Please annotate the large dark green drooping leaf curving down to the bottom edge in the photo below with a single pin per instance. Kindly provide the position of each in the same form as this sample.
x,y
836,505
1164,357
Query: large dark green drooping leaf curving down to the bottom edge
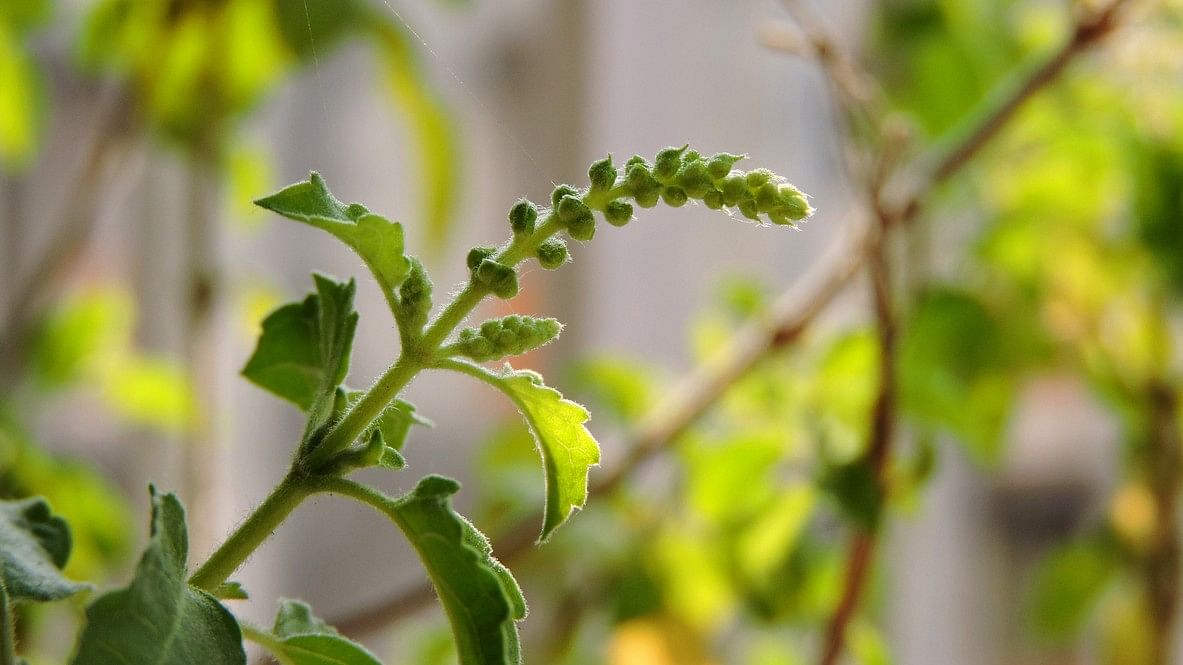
x,y
480,596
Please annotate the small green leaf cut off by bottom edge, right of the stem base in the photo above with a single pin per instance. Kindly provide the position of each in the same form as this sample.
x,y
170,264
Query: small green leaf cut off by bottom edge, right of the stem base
x,y
301,638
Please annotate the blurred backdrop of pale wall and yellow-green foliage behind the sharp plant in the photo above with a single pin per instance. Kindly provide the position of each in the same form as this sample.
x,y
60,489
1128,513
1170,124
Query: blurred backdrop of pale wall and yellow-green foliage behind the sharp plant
x,y
1029,509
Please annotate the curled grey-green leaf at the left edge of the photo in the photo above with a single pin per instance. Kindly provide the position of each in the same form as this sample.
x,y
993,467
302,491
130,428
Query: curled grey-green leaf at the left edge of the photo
x,y
35,546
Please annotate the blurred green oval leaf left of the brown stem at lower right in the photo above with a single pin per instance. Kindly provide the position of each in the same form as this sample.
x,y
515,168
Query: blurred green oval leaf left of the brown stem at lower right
x,y
1068,586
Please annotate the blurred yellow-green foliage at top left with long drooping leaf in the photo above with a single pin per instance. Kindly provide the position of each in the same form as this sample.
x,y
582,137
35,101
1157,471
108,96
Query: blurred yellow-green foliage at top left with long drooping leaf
x,y
198,69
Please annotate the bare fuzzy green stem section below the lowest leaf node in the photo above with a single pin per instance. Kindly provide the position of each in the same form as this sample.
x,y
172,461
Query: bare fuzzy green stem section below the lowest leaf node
x,y
251,534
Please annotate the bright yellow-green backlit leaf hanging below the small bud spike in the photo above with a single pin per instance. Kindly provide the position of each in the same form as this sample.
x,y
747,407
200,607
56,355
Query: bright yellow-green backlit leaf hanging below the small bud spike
x,y
568,450
